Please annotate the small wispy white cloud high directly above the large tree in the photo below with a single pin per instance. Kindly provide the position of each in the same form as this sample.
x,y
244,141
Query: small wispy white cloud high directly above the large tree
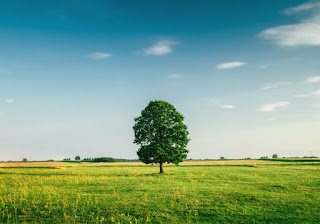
x,y
159,49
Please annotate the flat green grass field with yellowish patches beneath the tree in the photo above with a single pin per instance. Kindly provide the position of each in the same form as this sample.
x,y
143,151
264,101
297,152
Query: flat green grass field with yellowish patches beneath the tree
x,y
235,191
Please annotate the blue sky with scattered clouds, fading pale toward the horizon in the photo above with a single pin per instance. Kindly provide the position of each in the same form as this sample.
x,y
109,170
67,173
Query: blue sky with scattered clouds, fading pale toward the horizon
x,y
74,74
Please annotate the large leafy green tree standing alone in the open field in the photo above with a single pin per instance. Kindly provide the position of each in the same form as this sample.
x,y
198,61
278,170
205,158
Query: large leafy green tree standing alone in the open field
x,y
161,134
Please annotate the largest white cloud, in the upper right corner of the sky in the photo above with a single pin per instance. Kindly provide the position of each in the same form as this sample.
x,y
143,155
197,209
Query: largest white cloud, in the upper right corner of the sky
x,y
304,33
